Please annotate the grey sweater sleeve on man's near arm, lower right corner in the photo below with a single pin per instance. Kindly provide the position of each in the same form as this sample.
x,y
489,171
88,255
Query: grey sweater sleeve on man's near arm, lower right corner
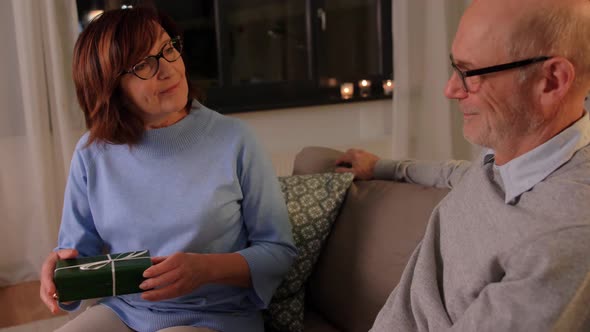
x,y
541,278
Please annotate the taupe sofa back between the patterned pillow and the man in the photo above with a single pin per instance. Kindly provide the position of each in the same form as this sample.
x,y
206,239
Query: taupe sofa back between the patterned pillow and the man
x,y
377,228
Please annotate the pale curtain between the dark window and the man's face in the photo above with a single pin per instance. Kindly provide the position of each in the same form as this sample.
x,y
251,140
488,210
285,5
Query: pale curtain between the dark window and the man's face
x,y
426,125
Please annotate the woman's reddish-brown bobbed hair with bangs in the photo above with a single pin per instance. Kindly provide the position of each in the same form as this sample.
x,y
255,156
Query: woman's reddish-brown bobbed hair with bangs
x,y
113,42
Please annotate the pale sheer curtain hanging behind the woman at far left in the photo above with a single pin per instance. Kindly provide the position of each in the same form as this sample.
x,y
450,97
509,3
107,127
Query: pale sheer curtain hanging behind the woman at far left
x,y
39,126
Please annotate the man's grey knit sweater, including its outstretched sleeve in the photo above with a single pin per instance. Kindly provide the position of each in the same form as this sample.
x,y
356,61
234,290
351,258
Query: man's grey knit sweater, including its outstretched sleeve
x,y
506,249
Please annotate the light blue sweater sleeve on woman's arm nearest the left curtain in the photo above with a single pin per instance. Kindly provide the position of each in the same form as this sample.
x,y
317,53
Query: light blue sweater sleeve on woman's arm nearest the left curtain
x,y
77,229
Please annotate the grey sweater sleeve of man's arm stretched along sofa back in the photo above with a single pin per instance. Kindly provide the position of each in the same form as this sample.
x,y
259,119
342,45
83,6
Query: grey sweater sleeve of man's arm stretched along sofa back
x,y
439,174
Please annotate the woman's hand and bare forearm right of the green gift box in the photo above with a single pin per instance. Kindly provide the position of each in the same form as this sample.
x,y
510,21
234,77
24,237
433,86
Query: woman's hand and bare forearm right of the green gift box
x,y
182,273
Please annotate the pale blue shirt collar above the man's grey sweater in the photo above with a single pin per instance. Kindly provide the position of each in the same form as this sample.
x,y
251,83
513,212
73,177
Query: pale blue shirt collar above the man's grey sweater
x,y
523,173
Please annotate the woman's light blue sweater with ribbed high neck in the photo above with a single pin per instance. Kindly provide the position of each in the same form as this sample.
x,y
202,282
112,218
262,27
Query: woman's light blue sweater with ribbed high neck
x,y
202,185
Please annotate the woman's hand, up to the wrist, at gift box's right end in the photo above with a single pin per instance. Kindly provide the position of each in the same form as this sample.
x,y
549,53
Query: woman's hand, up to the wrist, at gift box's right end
x,y
175,275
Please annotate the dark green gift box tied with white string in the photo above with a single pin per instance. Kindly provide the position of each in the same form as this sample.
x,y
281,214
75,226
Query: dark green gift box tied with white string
x,y
100,276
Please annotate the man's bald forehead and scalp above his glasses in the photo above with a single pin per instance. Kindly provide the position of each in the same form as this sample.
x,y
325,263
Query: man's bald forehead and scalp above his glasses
x,y
495,31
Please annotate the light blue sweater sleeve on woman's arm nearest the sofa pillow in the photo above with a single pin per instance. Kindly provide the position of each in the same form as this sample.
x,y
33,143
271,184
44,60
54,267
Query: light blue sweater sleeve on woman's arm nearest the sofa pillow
x,y
272,250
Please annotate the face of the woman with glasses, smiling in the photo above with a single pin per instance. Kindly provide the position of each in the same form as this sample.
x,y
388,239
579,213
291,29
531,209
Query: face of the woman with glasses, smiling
x,y
160,100
